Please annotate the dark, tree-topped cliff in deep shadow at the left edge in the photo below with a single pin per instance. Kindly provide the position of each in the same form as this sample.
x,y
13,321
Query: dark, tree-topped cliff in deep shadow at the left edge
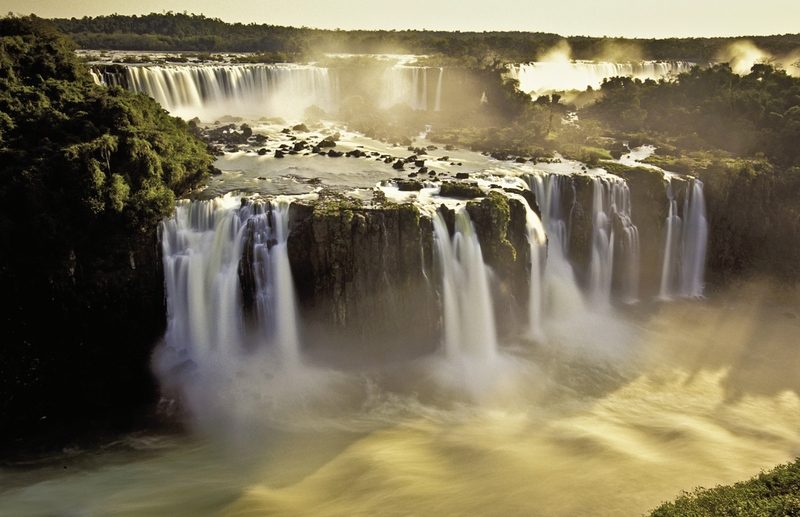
x,y
86,175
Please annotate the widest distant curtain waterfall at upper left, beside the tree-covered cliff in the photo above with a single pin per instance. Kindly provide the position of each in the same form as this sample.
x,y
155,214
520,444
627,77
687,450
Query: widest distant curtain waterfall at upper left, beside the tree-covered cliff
x,y
212,91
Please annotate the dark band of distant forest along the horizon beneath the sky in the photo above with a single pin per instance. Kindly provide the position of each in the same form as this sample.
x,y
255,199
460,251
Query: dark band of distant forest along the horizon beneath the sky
x,y
187,32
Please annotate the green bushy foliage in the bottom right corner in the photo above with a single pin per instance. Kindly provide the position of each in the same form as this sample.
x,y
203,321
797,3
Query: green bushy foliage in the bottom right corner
x,y
776,492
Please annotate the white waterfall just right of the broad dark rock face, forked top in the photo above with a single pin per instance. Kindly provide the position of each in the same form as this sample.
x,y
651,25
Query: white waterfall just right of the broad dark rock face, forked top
x,y
469,326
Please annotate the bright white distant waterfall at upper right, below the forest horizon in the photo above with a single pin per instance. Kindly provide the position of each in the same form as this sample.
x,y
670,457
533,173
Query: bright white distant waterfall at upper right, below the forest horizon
x,y
544,77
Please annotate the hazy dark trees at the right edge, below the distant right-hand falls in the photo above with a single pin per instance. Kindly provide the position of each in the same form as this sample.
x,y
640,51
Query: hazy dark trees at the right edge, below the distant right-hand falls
x,y
711,109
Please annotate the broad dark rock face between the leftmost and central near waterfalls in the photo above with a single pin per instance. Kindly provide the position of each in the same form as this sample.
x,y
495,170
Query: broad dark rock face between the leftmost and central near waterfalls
x,y
361,270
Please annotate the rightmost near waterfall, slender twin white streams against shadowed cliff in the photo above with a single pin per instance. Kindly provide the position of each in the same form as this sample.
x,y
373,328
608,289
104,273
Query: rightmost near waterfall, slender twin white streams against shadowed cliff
x,y
683,267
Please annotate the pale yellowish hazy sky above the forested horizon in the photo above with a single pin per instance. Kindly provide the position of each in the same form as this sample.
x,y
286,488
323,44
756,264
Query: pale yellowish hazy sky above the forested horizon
x,y
632,18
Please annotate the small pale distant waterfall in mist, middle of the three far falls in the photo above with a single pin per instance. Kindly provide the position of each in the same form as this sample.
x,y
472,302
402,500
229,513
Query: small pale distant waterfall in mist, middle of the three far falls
x,y
411,86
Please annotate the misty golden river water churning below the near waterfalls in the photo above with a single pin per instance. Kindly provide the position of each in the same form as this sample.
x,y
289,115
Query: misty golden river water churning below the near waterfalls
x,y
612,420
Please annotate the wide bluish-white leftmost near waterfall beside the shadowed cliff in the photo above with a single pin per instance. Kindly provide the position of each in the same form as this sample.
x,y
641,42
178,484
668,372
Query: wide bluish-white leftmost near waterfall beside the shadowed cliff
x,y
212,251
